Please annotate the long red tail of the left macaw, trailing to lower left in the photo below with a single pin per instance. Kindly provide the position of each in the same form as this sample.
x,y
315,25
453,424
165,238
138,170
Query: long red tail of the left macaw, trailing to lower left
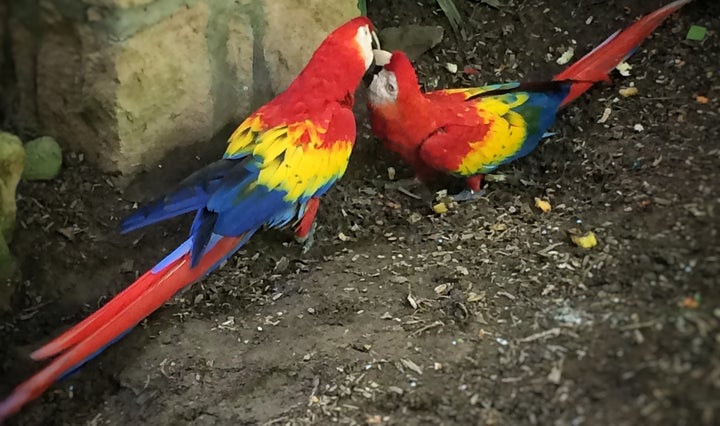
x,y
120,314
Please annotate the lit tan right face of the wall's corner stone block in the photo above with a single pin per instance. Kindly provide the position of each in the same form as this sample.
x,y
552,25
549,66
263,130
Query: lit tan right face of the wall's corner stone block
x,y
164,94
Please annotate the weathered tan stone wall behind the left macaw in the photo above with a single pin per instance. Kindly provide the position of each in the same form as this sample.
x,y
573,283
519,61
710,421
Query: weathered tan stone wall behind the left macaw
x,y
128,81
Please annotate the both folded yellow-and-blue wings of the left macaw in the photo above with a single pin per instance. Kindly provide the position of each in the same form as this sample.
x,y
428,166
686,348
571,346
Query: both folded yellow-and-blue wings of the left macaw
x,y
232,196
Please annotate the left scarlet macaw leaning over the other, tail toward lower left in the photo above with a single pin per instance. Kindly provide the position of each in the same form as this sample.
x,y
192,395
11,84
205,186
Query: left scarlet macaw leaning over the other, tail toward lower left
x,y
277,165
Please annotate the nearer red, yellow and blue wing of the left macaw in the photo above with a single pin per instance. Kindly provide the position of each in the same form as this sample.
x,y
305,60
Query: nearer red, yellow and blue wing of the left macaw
x,y
286,165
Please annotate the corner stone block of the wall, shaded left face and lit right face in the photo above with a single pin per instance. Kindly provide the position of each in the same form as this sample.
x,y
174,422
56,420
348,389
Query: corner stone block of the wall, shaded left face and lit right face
x,y
127,104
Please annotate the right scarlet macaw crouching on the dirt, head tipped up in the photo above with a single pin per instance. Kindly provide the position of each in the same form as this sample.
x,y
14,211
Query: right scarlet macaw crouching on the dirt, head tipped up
x,y
470,132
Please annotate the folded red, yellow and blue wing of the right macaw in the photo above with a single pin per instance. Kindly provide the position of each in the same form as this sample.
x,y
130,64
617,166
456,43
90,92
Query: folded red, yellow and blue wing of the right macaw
x,y
496,127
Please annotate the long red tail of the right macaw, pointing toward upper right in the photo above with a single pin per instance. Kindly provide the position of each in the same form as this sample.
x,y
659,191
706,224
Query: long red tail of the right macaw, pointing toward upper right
x,y
597,65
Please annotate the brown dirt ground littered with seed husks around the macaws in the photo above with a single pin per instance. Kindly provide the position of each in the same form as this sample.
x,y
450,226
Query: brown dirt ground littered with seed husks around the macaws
x,y
485,315
